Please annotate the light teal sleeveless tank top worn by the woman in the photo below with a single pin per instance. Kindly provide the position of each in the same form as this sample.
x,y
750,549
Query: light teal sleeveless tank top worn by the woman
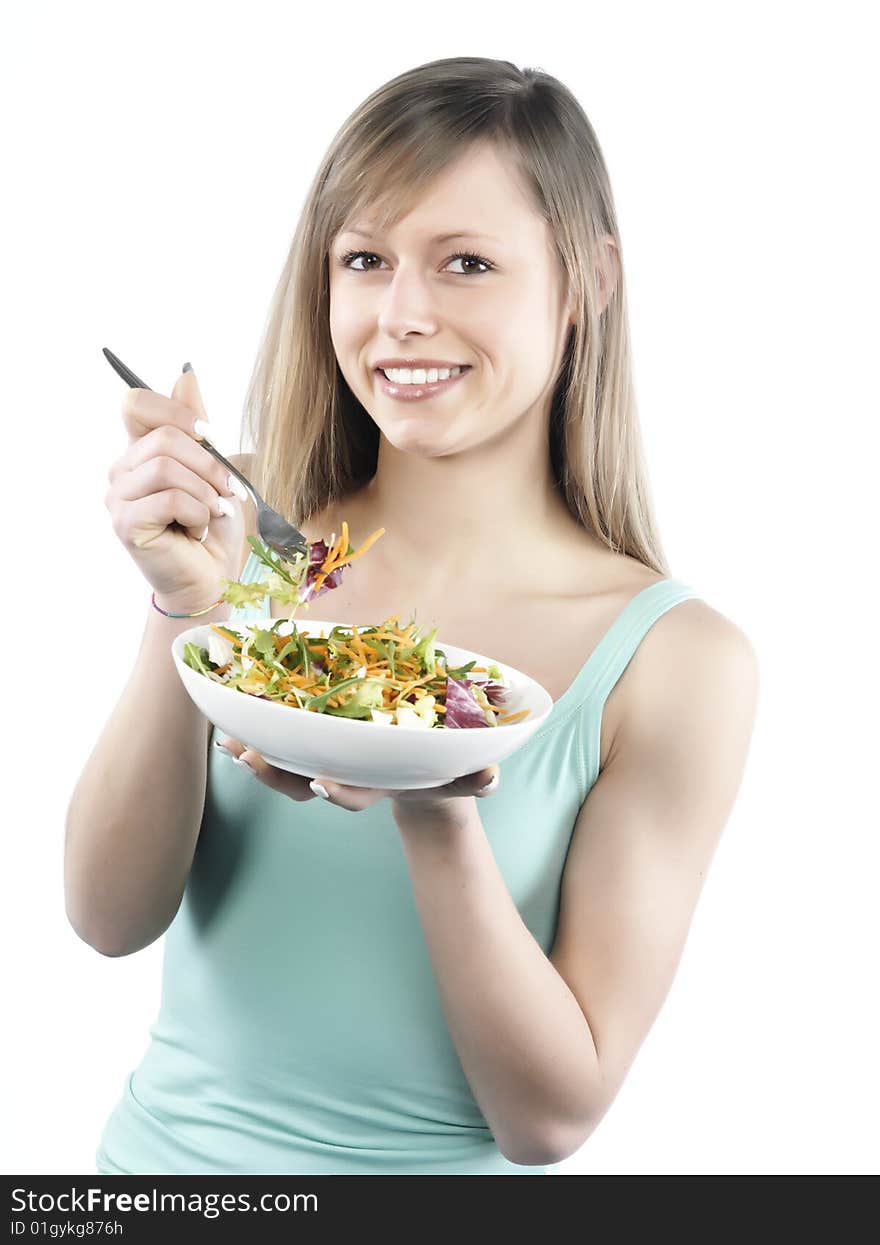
x,y
301,1030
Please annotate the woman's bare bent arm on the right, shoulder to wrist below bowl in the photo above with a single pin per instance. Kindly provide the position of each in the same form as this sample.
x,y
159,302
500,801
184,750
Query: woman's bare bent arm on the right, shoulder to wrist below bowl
x,y
546,1041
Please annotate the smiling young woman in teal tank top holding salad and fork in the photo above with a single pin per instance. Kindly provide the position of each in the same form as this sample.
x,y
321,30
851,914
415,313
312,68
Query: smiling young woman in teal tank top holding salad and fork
x,y
418,982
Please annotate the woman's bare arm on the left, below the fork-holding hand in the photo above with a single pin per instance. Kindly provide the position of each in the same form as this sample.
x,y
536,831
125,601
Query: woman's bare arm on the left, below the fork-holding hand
x,y
136,812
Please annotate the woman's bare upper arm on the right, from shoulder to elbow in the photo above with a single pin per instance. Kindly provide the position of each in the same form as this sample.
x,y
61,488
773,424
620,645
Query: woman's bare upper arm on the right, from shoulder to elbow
x,y
649,831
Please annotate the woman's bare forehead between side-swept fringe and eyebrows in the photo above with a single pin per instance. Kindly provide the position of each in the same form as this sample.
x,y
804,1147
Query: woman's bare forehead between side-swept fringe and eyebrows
x,y
480,195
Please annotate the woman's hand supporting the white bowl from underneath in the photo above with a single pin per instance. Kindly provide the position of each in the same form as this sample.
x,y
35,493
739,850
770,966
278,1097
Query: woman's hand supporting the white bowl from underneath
x,y
299,787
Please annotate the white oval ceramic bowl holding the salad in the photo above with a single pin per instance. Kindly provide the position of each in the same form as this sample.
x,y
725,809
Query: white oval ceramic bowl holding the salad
x,y
354,751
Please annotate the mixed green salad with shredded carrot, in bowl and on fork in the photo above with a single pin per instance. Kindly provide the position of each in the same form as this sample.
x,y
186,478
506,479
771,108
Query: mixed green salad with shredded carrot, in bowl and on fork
x,y
389,674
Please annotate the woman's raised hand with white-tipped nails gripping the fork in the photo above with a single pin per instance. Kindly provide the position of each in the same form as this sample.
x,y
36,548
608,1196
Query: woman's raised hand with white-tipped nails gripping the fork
x,y
164,500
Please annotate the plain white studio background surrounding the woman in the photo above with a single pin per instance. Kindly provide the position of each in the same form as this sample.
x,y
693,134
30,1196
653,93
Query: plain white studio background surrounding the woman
x,y
156,160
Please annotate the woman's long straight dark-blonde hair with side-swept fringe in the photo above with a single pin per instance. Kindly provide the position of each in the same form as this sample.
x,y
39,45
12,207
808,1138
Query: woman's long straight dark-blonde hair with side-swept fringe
x,y
313,440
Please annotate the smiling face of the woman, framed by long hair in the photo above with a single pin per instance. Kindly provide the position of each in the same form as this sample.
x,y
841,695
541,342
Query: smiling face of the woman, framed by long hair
x,y
408,297
